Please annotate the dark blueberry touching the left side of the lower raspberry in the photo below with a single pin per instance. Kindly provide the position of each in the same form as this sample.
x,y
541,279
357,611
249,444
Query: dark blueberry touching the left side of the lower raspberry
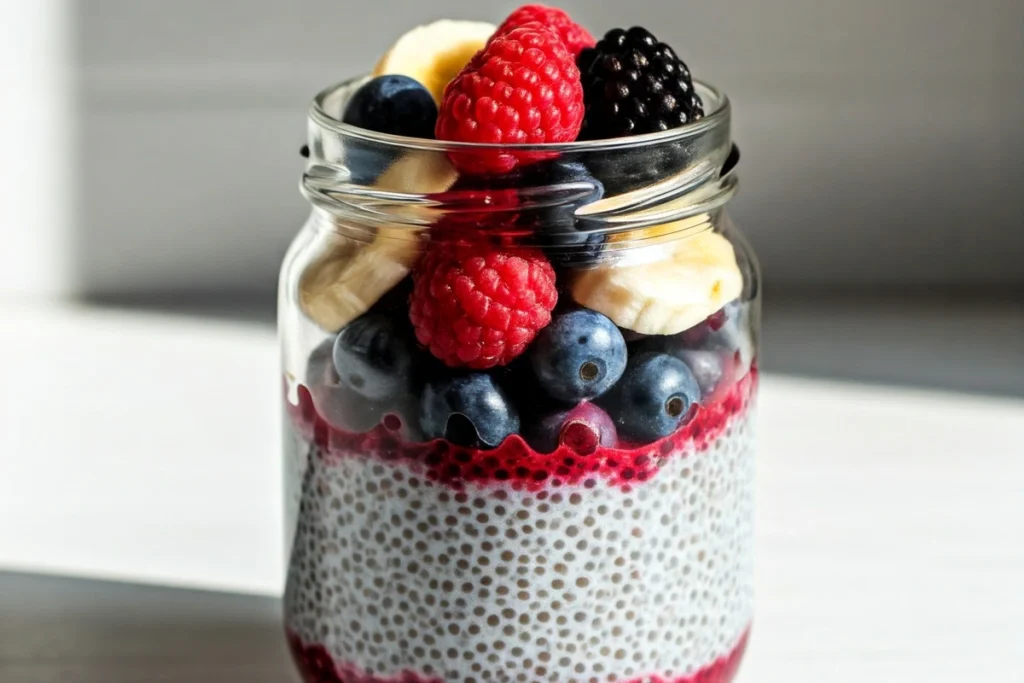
x,y
373,356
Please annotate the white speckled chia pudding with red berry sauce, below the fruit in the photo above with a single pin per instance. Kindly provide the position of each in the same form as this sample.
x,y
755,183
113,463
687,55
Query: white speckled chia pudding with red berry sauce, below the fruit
x,y
411,563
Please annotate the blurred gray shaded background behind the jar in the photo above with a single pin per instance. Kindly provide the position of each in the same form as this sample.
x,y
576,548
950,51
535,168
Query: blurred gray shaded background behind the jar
x,y
882,173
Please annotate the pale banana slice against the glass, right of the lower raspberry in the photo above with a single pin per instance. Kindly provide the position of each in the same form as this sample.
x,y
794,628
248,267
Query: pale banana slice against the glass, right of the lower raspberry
x,y
695,278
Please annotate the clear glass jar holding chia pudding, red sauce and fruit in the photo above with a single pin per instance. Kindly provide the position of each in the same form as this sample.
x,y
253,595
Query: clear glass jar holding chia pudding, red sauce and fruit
x,y
519,410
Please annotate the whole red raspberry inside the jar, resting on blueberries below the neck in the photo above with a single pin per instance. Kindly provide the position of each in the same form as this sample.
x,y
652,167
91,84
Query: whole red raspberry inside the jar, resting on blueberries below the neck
x,y
480,307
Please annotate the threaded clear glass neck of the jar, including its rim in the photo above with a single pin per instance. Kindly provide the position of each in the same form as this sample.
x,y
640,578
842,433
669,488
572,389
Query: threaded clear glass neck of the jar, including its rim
x,y
367,182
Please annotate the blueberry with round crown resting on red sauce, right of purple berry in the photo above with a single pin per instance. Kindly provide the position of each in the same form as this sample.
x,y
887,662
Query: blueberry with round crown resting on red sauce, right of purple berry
x,y
654,397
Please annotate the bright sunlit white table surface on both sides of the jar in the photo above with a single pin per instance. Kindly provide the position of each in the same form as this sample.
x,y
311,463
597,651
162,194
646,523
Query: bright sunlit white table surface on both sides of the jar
x,y
890,523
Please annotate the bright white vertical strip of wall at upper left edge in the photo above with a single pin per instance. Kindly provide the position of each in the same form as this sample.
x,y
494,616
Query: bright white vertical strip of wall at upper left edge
x,y
36,152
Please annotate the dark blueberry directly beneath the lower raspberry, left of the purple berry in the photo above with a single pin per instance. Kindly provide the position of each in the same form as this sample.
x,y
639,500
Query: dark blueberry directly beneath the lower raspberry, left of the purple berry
x,y
468,410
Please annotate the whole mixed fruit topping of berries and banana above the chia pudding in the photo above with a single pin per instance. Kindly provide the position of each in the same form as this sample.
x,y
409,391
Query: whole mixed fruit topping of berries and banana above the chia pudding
x,y
463,252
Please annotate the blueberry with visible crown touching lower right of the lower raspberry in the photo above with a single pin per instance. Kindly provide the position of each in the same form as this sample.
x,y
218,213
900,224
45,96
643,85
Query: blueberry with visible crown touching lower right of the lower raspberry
x,y
580,356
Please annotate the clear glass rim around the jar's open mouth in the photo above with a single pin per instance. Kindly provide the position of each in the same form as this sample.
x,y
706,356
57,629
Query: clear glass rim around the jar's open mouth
x,y
717,100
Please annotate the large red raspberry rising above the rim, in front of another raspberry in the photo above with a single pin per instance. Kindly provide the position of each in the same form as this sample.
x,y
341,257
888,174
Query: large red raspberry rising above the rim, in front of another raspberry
x,y
524,88
